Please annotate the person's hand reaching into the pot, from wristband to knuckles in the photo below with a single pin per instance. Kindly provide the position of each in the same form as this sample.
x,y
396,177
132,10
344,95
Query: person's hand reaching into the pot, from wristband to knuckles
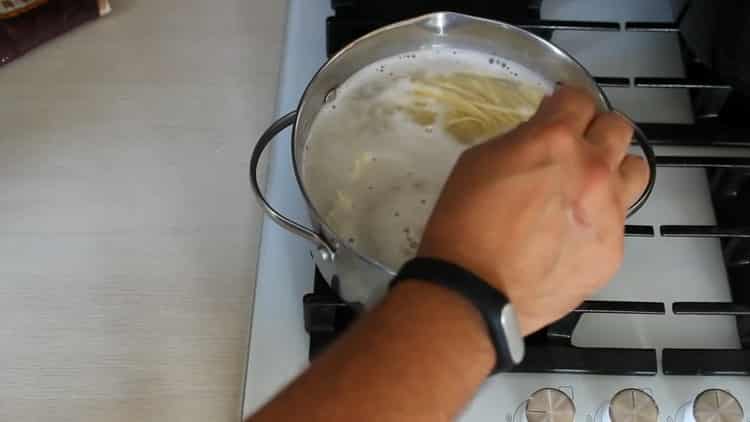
x,y
539,213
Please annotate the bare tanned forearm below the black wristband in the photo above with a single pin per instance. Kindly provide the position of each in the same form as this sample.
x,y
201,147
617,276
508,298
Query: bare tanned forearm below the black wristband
x,y
419,356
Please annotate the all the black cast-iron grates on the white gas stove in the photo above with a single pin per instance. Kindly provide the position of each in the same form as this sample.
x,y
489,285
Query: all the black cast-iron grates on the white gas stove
x,y
716,108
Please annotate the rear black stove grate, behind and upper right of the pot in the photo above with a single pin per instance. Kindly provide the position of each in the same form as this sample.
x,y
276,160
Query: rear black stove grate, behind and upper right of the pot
x,y
718,109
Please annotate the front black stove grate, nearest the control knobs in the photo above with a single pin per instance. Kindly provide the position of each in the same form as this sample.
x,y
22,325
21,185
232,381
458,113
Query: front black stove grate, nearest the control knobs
x,y
551,350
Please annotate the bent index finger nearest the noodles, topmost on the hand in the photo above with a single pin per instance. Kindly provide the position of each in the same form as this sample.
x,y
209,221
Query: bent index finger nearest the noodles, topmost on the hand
x,y
570,106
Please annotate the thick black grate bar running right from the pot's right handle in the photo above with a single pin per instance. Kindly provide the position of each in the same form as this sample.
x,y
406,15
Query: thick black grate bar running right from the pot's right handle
x,y
695,134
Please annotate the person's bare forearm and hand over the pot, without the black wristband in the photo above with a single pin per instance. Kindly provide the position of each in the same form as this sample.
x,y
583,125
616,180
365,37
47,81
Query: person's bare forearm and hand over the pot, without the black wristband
x,y
537,214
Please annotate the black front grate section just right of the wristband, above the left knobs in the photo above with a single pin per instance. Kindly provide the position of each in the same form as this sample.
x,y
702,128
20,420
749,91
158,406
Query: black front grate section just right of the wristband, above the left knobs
x,y
557,354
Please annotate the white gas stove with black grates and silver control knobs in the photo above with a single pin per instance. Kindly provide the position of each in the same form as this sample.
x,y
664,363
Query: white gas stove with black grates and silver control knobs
x,y
670,333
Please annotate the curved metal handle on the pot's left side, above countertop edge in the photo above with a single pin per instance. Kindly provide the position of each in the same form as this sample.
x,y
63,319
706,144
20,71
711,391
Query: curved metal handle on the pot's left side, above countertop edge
x,y
325,249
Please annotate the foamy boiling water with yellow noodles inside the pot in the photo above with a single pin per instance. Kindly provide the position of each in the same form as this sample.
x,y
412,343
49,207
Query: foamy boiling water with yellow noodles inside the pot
x,y
379,152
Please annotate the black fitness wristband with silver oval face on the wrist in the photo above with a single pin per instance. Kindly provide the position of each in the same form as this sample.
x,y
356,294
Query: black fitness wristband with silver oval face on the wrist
x,y
496,310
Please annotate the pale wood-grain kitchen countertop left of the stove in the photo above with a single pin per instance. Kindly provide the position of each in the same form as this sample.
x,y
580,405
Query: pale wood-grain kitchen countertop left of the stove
x,y
128,236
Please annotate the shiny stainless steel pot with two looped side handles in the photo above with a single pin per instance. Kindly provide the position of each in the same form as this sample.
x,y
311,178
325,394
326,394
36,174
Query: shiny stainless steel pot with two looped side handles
x,y
361,278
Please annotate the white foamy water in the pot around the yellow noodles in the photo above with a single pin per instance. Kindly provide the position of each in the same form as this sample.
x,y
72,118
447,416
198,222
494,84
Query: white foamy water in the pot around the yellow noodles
x,y
373,173
